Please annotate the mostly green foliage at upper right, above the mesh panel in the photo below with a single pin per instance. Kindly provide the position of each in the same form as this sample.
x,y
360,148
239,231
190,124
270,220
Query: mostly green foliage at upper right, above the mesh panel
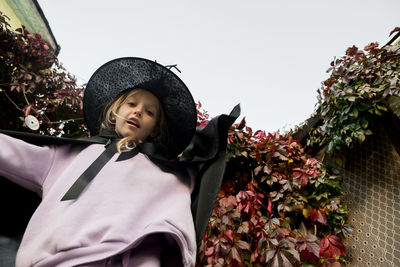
x,y
356,94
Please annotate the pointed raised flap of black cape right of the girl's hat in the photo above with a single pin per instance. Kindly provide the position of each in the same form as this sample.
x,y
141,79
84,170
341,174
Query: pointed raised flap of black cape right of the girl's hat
x,y
208,147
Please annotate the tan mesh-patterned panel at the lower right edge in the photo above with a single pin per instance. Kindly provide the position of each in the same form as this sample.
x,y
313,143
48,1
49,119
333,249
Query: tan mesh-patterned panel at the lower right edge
x,y
371,182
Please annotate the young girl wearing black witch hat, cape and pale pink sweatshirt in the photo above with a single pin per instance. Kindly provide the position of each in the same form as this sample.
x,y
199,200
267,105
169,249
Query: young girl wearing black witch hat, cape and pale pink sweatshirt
x,y
128,202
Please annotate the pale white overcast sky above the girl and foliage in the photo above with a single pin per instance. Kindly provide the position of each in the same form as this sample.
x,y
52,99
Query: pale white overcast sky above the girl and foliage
x,y
269,56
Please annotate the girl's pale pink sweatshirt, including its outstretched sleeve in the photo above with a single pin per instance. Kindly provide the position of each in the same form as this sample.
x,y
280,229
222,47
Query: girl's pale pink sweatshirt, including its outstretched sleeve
x,y
126,201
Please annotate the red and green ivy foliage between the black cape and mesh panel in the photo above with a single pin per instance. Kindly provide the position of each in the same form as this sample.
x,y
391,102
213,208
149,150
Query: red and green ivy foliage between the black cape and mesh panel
x,y
276,207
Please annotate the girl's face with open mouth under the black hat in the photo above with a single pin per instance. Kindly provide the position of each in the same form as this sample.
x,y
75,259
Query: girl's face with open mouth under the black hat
x,y
138,116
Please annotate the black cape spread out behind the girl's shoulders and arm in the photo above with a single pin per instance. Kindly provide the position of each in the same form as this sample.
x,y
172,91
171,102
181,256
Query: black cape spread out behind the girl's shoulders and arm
x,y
206,152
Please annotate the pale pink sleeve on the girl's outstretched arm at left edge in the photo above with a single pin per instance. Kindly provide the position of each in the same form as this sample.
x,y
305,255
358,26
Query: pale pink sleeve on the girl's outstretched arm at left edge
x,y
24,163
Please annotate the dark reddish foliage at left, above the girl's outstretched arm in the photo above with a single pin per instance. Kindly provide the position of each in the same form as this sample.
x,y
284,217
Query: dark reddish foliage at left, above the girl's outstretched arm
x,y
33,82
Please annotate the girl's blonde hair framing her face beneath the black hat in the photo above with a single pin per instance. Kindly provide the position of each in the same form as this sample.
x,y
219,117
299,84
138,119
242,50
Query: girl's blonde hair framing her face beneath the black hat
x,y
128,143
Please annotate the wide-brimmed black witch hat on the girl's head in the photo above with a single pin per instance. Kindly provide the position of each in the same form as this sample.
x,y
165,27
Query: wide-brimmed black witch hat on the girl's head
x,y
122,74
